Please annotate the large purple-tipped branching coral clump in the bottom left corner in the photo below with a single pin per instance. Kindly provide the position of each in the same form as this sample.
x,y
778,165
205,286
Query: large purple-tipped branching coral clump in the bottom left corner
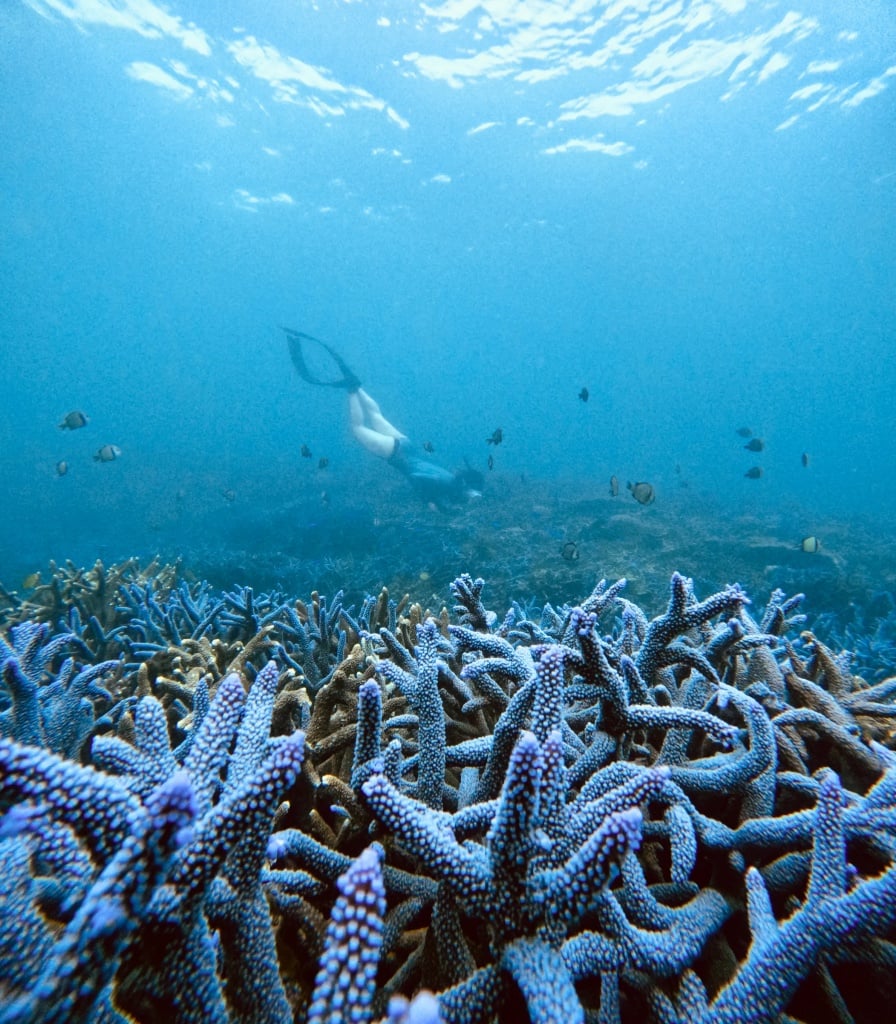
x,y
174,854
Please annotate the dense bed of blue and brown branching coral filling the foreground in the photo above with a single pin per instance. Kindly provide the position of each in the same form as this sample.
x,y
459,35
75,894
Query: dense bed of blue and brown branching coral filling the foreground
x,y
239,806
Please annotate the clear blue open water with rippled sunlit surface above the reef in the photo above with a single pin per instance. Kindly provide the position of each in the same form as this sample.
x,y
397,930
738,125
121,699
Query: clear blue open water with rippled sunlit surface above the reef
x,y
689,208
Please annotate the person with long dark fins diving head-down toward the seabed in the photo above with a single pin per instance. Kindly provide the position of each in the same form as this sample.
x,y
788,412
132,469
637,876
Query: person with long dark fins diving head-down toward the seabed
x,y
434,484
